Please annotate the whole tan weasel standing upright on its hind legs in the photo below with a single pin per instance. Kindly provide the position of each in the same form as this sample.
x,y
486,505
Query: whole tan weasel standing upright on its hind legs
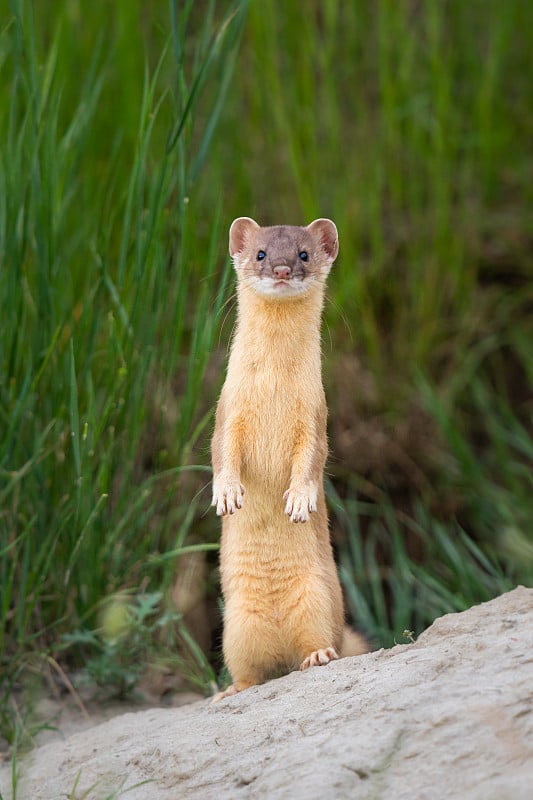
x,y
283,601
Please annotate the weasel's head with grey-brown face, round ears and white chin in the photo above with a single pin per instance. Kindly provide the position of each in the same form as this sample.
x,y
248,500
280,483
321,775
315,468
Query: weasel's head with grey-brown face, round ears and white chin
x,y
283,261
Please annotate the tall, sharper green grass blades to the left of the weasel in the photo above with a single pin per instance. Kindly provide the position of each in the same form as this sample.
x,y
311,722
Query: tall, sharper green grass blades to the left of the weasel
x,y
104,280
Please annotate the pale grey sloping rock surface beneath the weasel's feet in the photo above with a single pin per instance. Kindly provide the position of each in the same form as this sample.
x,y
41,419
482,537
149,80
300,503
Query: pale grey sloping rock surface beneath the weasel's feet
x,y
450,716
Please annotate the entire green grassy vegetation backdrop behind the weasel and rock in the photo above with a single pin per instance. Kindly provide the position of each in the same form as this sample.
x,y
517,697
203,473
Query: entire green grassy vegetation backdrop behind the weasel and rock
x,y
131,135
